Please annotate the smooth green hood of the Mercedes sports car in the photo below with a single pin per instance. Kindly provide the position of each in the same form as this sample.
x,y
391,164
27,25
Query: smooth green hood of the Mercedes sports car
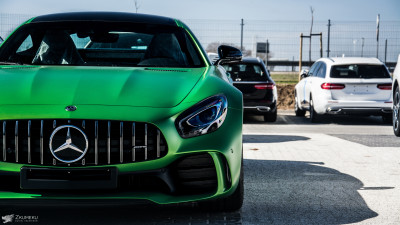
x,y
69,85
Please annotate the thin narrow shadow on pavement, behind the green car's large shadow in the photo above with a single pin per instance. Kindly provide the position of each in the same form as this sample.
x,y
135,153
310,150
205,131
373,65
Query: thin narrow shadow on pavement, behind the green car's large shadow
x,y
247,138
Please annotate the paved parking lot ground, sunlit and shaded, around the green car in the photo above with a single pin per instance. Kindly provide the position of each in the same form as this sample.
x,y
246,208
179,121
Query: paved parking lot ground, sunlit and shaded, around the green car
x,y
340,171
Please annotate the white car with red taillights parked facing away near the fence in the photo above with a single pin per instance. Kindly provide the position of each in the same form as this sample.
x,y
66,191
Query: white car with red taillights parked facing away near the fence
x,y
345,86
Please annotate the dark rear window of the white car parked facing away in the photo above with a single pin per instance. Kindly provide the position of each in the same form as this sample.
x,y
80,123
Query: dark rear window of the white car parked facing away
x,y
359,71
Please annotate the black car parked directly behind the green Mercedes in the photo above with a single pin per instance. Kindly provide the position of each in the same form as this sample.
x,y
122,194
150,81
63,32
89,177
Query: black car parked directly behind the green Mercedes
x,y
259,90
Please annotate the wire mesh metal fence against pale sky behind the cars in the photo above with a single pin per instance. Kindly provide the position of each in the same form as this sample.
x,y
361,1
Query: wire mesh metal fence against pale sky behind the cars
x,y
346,38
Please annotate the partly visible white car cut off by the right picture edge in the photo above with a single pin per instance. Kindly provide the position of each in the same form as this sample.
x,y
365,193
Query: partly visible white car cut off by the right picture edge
x,y
396,98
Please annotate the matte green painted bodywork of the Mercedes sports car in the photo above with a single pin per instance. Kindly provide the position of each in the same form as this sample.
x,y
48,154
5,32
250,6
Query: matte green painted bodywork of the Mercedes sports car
x,y
152,95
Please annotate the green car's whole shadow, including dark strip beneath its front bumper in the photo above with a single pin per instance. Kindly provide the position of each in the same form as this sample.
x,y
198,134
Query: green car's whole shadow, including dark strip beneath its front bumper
x,y
278,192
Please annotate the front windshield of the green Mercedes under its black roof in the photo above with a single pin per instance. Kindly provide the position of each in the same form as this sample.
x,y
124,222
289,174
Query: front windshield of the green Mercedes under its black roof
x,y
101,44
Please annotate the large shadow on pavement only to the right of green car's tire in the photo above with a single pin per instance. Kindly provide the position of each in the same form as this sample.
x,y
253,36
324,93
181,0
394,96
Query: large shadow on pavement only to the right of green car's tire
x,y
289,192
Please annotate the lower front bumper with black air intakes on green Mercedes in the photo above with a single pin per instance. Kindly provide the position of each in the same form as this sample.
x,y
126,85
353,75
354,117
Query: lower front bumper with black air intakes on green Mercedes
x,y
179,182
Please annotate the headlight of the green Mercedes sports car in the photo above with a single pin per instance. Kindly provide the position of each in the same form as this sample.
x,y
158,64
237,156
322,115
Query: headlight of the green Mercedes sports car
x,y
203,118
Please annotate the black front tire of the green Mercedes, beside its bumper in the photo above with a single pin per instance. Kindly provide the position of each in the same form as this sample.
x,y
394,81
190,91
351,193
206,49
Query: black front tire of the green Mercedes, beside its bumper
x,y
231,203
